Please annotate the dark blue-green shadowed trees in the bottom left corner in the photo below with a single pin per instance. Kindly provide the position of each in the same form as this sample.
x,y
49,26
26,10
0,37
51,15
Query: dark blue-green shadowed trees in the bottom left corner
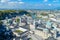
x,y
4,33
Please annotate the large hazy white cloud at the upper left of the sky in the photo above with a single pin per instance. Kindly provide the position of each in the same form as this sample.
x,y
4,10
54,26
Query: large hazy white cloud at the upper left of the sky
x,y
10,4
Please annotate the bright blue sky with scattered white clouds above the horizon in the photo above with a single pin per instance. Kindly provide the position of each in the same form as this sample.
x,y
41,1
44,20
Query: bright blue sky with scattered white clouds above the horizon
x,y
29,4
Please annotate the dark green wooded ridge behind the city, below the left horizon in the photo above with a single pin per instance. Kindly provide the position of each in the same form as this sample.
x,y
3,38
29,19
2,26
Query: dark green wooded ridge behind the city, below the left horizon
x,y
12,13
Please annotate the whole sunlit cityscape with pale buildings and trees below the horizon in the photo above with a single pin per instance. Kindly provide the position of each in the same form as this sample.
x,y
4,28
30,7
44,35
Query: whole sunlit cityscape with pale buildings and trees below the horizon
x,y
30,25
